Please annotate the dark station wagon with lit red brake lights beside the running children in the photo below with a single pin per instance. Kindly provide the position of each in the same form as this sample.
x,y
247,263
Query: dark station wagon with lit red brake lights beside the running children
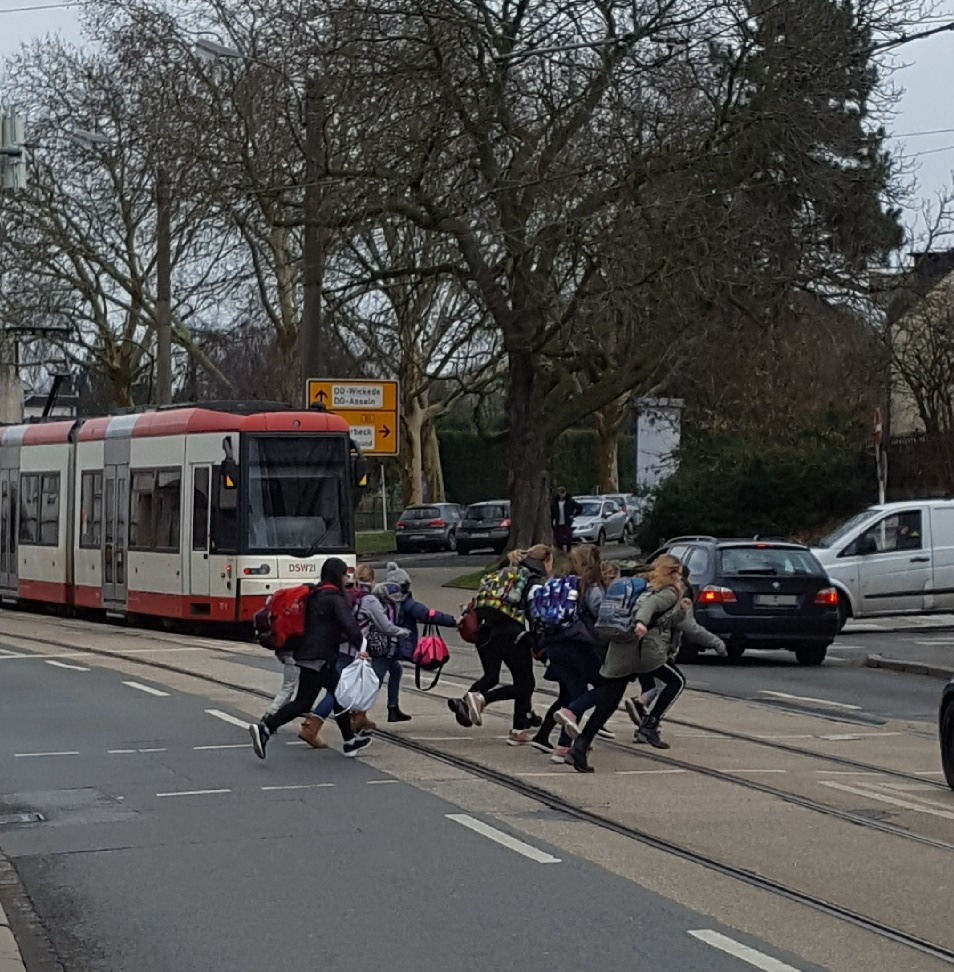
x,y
760,594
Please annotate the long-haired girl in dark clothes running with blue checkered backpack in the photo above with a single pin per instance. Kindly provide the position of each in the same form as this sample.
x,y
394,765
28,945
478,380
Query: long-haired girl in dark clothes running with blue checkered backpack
x,y
574,655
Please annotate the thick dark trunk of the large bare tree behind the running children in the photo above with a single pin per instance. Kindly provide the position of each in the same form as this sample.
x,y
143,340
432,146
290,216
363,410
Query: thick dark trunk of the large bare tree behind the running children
x,y
529,480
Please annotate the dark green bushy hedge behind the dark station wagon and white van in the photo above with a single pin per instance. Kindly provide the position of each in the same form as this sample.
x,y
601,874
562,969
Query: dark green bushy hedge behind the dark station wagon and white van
x,y
739,488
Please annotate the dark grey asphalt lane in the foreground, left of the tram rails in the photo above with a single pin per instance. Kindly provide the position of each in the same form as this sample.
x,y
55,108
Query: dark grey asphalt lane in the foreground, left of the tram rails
x,y
165,845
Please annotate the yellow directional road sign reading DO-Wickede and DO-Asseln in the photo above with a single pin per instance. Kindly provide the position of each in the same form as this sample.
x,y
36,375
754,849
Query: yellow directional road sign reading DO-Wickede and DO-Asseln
x,y
369,407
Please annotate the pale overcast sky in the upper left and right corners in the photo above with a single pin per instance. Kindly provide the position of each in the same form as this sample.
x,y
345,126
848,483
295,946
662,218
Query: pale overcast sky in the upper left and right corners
x,y
927,77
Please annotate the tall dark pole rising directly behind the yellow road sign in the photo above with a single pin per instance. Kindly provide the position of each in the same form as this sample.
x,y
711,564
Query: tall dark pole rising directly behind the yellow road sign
x,y
313,257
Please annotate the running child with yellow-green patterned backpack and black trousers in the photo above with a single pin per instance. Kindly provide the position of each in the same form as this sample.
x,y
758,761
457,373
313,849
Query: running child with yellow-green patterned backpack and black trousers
x,y
503,639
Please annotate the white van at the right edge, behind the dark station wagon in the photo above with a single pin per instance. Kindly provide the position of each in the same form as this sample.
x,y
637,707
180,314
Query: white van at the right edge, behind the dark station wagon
x,y
893,559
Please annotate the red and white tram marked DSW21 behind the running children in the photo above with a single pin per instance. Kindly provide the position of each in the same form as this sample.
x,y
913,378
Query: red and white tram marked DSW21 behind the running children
x,y
194,513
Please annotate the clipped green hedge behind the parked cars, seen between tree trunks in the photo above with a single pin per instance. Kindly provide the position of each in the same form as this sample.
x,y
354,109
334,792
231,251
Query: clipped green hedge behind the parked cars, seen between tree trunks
x,y
475,468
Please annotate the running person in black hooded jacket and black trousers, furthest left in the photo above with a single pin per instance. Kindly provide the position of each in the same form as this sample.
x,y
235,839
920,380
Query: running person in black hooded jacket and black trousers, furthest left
x,y
328,623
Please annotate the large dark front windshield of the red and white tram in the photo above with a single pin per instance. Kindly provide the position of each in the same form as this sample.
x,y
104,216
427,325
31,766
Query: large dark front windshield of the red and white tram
x,y
298,494
